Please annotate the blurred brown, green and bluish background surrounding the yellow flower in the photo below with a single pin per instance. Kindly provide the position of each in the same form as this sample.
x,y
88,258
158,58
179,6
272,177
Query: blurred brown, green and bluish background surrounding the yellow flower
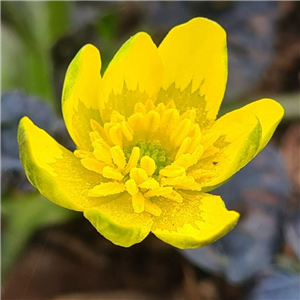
x,y
51,253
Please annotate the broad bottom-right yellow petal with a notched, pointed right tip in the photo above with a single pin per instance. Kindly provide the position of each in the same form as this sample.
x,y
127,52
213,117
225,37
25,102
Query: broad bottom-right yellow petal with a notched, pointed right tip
x,y
199,220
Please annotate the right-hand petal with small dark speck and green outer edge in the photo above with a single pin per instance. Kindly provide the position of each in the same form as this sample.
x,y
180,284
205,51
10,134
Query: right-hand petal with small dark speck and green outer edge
x,y
238,143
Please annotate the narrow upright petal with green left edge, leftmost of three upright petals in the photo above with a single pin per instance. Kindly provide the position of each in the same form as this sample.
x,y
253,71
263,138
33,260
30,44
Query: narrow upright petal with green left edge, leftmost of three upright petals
x,y
81,95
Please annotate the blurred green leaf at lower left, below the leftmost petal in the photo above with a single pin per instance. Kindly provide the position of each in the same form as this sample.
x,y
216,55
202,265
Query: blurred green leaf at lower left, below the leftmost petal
x,y
22,217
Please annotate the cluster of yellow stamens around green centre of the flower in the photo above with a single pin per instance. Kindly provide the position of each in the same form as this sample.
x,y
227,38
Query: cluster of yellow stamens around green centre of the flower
x,y
153,153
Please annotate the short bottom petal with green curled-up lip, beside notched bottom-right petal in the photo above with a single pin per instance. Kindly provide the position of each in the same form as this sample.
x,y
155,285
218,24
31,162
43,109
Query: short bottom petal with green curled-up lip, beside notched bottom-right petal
x,y
117,221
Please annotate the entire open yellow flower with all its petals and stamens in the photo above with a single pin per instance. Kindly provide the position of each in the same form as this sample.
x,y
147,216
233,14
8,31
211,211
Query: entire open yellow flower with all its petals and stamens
x,y
149,147
